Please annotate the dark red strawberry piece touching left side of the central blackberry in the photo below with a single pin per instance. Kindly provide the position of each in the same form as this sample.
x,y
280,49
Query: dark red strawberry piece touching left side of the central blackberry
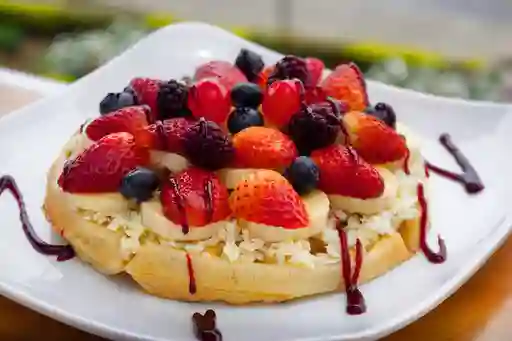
x,y
169,135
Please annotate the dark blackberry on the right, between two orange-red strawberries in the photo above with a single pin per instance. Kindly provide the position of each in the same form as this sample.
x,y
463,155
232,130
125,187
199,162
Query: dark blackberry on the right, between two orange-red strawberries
x,y
315,126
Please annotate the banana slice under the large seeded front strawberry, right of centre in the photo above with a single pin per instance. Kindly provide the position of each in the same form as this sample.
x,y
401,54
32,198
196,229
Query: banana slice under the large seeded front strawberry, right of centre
x,y
317,207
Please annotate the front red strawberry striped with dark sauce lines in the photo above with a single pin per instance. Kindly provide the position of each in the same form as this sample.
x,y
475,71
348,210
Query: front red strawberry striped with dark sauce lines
x,y
185,198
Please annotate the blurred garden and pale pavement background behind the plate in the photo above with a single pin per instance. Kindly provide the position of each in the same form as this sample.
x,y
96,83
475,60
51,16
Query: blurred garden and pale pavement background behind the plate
x,y
67,39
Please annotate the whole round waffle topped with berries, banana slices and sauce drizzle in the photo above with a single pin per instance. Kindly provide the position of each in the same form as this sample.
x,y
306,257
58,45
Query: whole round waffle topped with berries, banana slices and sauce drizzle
x,y
249,183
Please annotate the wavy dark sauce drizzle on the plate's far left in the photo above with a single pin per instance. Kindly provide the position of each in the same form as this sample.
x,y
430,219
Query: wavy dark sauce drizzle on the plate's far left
x,y
63,252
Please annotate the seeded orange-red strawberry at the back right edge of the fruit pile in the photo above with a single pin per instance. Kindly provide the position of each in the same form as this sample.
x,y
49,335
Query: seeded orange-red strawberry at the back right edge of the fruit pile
x,y
346,83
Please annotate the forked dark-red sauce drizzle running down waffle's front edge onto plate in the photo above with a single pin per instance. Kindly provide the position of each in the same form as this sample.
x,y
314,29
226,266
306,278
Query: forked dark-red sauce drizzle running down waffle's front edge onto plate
x,y
355,300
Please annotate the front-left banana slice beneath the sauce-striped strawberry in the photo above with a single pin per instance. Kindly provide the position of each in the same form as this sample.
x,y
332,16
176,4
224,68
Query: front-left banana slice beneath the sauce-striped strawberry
x,y
154,219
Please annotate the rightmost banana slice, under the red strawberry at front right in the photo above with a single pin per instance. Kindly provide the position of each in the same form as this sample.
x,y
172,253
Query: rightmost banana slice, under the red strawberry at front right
x,y
369,206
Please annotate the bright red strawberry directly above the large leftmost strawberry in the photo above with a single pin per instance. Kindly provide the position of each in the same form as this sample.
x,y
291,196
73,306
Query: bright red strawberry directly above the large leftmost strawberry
x,y
131,120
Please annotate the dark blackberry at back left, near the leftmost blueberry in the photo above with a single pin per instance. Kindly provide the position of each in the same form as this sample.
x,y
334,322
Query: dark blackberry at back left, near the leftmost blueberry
x,y
172,100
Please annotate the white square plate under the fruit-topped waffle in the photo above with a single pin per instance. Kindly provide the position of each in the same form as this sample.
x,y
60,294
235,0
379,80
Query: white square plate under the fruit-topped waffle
x,y
73,293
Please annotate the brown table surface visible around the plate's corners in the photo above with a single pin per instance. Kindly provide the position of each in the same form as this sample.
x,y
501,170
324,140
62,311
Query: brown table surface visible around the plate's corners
x,y
481,310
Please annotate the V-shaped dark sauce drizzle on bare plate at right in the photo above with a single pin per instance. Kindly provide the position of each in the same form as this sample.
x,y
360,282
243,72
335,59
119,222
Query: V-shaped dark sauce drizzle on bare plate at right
x,y
469,177
